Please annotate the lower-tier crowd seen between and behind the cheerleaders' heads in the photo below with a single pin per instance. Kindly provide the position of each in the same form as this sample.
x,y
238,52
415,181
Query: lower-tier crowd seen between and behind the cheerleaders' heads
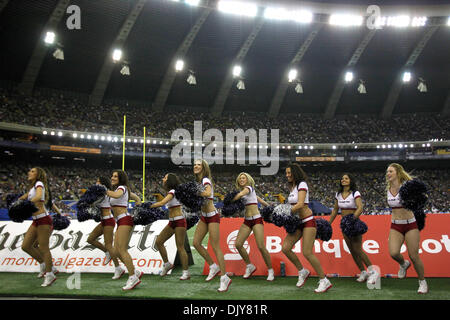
x,y
69,183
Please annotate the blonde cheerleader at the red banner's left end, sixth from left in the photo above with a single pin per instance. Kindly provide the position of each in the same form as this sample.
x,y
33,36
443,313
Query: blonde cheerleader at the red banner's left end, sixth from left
x,y
252,222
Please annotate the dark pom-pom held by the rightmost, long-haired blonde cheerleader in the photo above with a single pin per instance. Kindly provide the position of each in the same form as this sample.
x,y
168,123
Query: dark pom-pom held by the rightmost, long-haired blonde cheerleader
x,y
414,197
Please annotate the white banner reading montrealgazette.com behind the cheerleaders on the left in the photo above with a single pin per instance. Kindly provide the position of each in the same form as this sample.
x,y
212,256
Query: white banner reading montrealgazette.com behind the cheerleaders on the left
x,y
72,253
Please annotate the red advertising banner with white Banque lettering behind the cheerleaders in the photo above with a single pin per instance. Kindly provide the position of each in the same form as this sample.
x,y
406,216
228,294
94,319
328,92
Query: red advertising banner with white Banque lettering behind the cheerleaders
x,y
334,255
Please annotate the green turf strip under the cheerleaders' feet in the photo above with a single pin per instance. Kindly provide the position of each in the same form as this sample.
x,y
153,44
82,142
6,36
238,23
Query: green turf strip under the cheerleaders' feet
x,y
257,288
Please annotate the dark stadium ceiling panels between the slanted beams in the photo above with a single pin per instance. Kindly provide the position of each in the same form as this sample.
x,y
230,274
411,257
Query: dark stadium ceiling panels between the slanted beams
x,y
163,24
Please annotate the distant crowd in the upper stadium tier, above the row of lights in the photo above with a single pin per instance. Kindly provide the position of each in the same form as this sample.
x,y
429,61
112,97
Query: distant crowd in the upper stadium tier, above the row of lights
x,y
68,113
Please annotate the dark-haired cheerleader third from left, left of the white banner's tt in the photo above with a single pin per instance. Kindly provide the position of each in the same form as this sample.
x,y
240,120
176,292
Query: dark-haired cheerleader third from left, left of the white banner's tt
x,y
119,205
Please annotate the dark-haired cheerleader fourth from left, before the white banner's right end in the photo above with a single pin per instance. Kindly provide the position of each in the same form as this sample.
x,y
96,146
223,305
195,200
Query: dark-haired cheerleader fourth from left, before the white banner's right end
x,y
177,225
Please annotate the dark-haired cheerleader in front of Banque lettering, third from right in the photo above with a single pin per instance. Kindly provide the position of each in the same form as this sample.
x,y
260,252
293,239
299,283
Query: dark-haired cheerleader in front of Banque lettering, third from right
x,y
299,199
